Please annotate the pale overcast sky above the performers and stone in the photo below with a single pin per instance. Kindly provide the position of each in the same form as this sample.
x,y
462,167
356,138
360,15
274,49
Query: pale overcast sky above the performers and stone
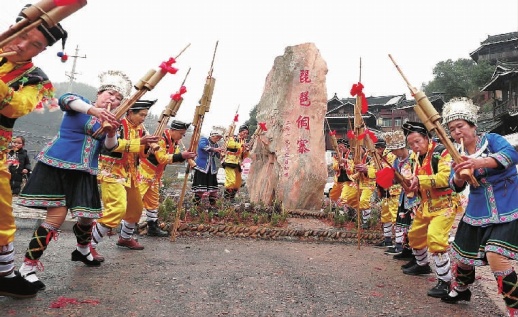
x,y
136,36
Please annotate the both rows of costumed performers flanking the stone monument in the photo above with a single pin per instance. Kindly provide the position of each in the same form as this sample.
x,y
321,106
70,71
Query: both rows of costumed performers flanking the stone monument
x,y
128,161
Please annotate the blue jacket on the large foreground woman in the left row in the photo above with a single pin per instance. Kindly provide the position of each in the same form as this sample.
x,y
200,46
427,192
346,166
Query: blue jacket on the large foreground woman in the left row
x,y
74,147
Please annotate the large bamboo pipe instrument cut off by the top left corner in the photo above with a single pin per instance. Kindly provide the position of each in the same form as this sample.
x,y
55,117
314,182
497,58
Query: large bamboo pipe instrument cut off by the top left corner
x,y
46,12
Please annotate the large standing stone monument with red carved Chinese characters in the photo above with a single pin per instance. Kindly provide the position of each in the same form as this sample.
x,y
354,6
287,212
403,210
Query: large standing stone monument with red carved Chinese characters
x,y
288,160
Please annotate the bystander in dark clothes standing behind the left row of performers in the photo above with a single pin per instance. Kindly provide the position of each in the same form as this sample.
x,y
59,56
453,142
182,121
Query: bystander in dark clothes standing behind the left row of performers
x,y
19,164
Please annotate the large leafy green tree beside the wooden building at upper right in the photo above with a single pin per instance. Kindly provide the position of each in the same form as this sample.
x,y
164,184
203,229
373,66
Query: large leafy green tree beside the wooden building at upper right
x,y
460,78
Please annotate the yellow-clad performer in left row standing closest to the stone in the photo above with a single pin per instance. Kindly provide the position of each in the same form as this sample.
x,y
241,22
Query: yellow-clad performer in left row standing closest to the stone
x,y
236,151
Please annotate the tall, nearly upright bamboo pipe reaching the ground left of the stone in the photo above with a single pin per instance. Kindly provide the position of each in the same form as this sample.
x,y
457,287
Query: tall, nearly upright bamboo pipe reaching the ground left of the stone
x,y
199,114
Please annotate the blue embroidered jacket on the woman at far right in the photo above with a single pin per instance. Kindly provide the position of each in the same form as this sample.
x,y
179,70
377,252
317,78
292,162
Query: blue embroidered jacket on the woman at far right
x,y
496,199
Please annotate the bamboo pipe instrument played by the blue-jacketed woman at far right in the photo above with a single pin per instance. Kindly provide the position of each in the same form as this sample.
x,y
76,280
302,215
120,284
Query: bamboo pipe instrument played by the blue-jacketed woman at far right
x,y
431,119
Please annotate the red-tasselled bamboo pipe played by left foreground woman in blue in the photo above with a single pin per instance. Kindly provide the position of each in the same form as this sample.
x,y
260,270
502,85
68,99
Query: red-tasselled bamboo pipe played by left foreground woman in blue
x,y
145,84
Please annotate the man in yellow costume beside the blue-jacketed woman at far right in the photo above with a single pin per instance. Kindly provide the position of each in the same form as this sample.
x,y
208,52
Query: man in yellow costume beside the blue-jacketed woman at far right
x,y
436,213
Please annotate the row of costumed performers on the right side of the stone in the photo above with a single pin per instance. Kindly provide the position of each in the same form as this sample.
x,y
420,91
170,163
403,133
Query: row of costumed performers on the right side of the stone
x,y
417,220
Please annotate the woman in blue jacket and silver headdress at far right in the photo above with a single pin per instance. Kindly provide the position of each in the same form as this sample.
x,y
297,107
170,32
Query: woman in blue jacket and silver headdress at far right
x,y
488,231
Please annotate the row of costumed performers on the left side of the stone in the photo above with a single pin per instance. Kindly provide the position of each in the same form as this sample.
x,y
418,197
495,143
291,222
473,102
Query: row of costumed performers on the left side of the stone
x,y
105,171
